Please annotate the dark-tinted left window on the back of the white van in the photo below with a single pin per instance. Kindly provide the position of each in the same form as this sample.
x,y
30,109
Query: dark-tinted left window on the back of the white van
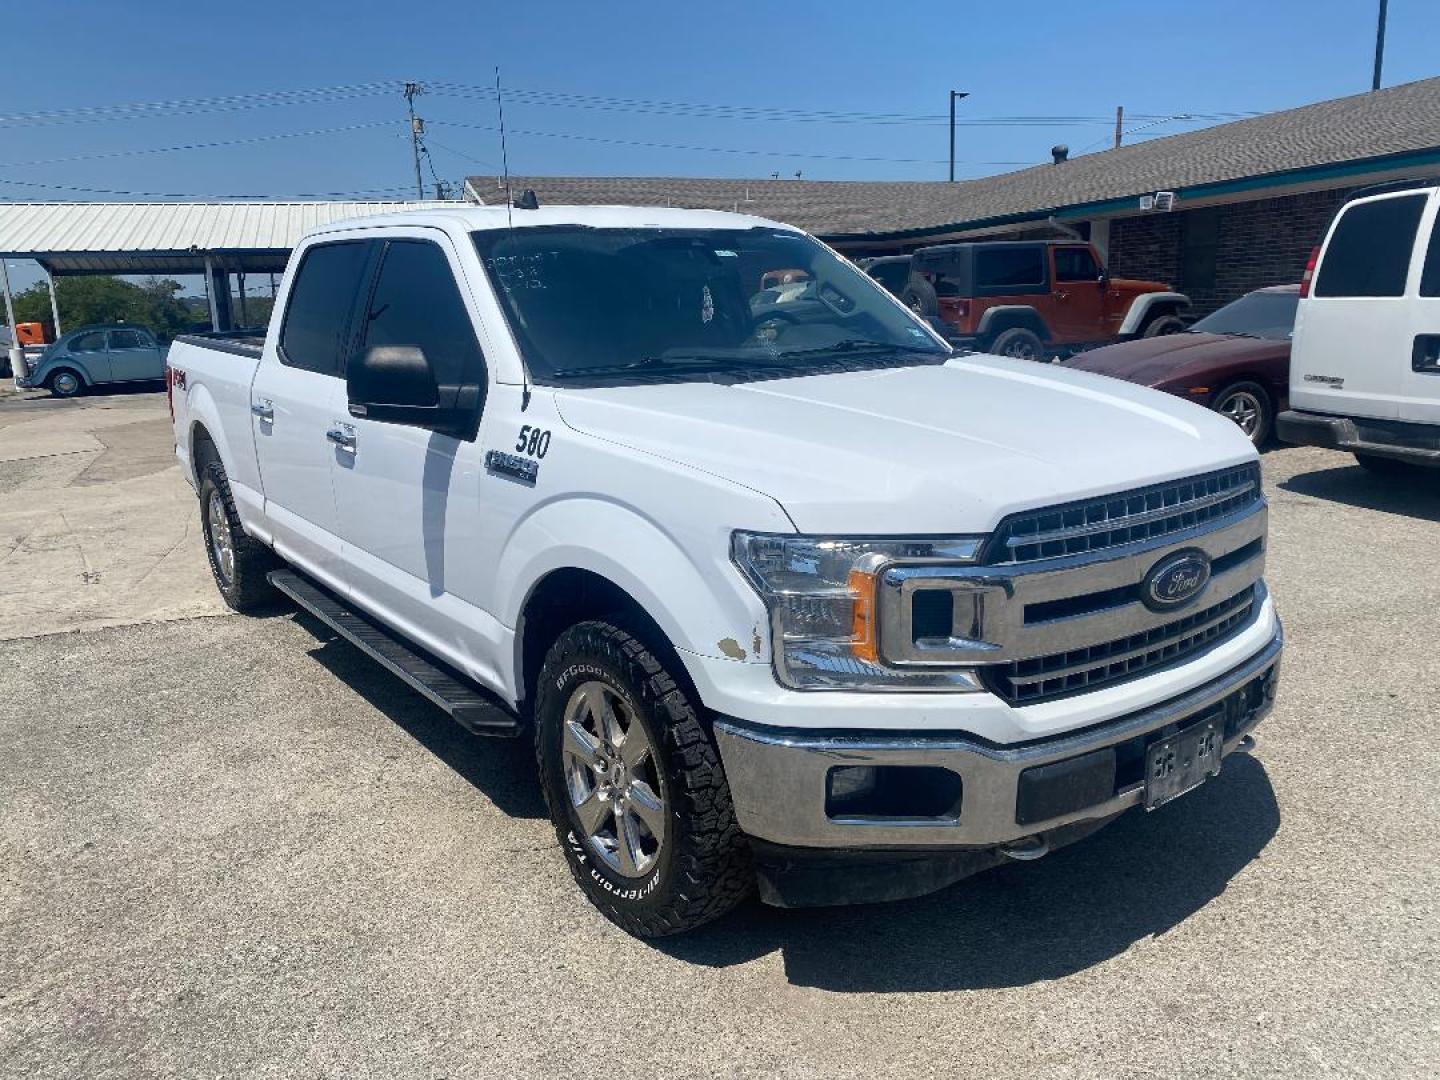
x,y
1369,254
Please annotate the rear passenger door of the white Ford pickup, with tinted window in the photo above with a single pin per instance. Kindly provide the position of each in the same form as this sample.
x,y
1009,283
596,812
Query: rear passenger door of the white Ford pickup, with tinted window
x,y
297,392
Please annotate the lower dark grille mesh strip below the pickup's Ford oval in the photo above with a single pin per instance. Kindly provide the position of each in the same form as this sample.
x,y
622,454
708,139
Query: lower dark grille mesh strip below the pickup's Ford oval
x,y
1042,679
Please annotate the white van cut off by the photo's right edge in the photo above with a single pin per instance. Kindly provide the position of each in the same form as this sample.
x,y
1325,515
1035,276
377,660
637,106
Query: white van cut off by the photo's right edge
x,y
1366,365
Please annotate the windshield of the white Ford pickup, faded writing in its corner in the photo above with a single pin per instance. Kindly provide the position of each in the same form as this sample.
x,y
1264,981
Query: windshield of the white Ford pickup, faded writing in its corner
x,y
588,303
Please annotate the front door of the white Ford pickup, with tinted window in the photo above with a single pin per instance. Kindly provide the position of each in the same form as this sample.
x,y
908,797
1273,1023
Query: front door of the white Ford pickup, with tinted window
x,y
408,498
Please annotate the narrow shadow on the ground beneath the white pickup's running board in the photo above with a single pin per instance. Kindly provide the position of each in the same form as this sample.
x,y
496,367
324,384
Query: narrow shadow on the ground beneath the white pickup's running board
x,y
502,770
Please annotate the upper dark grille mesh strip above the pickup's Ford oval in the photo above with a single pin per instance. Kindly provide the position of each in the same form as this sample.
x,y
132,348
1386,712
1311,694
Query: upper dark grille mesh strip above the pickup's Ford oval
x,y
1127,518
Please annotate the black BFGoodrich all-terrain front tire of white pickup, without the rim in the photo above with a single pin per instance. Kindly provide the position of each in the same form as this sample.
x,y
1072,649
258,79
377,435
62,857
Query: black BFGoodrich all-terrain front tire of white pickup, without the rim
x,y
703,865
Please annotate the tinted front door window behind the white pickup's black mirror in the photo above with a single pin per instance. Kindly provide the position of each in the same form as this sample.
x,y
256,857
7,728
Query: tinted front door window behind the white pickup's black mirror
x,y
418,303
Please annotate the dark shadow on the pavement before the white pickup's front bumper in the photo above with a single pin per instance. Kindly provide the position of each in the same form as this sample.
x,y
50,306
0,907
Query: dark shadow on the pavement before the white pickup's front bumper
x,y
1017,925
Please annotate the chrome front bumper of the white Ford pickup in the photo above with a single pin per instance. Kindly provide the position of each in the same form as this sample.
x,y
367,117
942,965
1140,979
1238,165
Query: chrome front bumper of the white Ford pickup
x,y
778,778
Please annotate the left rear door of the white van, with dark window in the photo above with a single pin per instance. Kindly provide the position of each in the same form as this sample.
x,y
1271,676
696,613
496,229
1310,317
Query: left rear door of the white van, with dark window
x,y
1354,336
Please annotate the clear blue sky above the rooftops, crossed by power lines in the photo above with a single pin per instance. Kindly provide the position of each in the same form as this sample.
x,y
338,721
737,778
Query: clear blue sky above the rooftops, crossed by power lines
x,y
1017,60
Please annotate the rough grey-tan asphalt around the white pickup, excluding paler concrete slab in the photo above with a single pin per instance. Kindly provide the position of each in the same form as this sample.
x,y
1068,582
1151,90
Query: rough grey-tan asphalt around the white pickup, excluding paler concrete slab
x,y
234,847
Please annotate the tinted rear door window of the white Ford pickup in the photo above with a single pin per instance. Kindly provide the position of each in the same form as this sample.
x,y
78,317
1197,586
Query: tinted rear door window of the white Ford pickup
x,y
318,316
